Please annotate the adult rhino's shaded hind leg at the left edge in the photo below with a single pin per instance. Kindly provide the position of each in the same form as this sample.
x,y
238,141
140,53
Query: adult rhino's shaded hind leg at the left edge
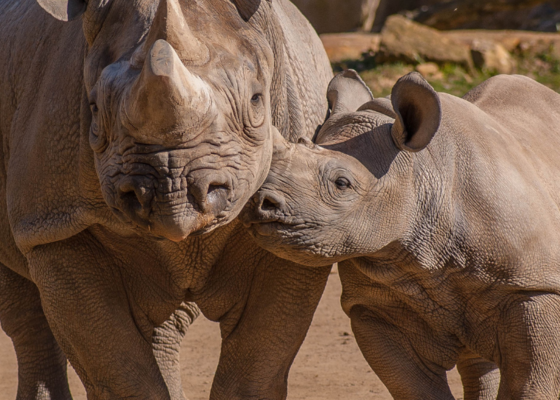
x,y
41,362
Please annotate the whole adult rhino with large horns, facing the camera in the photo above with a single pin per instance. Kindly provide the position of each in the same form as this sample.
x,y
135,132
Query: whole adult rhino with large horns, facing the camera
x,y
131,139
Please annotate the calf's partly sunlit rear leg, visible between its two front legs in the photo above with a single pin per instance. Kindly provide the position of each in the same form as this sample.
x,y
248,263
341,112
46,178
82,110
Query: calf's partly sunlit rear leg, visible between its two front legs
x,y
481,378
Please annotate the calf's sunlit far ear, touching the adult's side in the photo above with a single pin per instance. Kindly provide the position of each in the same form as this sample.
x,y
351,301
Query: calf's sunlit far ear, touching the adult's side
x,y
347,92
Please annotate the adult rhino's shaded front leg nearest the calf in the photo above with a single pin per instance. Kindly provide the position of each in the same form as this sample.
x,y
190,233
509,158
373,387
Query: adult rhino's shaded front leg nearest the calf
x,y
269,312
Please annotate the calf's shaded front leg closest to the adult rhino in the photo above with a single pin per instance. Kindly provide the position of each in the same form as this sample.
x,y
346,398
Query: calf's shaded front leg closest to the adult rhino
x,y
392,357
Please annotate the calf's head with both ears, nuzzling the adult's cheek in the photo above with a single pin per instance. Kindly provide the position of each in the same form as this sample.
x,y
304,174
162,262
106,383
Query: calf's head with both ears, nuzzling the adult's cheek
x,y
353,194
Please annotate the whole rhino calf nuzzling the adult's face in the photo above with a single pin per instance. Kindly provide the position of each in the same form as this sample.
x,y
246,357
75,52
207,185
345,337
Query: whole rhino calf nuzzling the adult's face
x,y
443,214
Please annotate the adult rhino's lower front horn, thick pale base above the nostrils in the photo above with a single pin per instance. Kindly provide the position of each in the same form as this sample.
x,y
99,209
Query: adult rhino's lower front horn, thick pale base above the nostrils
x,y
167,99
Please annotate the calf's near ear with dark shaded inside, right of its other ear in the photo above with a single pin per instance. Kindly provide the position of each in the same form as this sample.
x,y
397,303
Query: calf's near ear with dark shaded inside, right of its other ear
x,y
418,111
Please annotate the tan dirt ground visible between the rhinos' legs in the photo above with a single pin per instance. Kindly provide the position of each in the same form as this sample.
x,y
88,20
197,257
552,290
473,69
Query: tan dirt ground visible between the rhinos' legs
x,y
329,365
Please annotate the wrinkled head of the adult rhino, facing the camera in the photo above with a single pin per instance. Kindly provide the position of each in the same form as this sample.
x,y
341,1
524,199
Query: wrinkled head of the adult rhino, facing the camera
x,y
181,119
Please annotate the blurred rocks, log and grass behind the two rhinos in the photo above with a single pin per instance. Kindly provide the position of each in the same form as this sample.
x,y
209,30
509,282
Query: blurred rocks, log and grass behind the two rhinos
x,y
455,44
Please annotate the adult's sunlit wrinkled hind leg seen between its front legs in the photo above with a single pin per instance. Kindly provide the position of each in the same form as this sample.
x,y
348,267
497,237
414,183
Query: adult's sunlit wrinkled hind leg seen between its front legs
x,y
166,342
